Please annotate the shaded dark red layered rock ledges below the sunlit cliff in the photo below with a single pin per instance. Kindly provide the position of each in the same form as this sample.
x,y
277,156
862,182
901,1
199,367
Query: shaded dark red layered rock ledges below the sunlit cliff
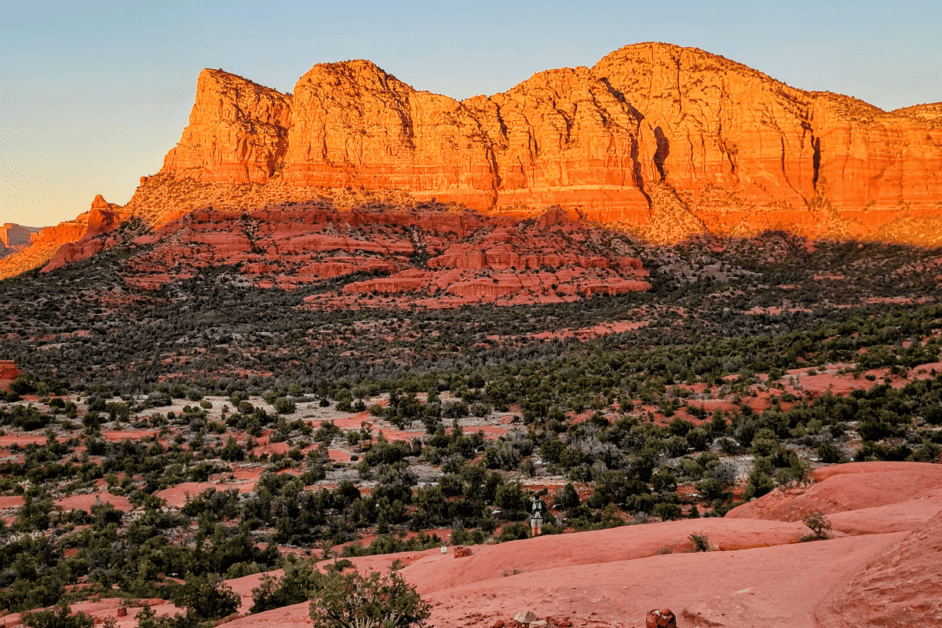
x,y
422,258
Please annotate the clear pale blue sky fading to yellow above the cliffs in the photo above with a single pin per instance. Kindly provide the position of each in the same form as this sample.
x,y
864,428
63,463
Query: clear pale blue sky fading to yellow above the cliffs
x,y
93,94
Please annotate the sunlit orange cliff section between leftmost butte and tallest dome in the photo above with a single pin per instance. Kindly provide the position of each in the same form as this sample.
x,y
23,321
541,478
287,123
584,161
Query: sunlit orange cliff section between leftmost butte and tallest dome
x,y
560,138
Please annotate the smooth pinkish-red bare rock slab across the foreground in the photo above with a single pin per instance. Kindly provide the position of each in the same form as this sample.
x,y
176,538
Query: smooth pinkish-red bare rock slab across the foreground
x,y
885,575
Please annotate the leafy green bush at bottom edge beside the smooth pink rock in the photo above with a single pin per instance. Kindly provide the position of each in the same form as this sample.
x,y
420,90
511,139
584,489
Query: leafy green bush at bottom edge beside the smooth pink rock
x,y
349,600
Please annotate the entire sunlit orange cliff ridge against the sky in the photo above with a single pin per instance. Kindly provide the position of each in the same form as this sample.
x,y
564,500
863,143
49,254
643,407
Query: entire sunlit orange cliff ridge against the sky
x,y
666,142
